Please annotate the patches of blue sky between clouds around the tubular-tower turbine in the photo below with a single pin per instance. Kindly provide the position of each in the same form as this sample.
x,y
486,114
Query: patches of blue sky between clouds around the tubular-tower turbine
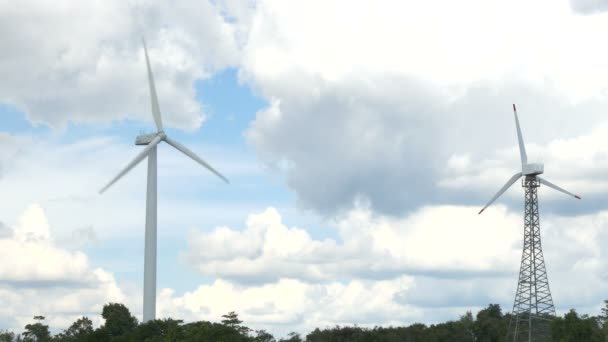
x,y
230,107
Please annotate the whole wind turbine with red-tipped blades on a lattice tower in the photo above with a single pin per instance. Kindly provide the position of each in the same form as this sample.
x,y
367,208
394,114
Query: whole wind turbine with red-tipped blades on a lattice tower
x,y
533,306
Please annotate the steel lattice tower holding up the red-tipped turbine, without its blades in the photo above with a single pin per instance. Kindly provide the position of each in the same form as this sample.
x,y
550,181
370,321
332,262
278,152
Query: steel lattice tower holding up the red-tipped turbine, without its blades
x,y
533,308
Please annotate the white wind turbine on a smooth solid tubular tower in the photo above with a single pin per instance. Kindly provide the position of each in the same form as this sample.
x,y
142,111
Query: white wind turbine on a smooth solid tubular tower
x,y
151,141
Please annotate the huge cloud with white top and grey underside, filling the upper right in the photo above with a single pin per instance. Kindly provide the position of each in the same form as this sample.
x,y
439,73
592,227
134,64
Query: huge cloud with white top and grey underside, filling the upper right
x,y
353,114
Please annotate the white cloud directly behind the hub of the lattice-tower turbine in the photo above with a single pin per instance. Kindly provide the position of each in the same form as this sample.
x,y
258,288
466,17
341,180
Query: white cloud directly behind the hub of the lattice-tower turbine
x,y
577,164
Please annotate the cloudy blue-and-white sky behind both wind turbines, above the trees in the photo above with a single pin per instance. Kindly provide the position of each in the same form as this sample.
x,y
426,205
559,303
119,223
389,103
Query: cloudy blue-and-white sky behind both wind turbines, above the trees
x,y
360,139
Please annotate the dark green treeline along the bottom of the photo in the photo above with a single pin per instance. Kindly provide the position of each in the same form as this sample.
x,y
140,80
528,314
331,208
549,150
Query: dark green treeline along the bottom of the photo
x,y
489,325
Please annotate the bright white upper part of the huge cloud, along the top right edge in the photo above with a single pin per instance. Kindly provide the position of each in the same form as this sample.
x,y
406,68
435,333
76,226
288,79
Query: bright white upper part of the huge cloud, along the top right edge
x,y
459,44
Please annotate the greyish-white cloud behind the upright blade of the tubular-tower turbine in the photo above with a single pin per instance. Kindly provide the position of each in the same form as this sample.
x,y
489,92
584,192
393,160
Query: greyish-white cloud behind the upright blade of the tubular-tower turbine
x,y
70,62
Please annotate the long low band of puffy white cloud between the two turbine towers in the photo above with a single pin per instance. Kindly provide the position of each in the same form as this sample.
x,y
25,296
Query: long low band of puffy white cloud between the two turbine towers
x,y
370,247
